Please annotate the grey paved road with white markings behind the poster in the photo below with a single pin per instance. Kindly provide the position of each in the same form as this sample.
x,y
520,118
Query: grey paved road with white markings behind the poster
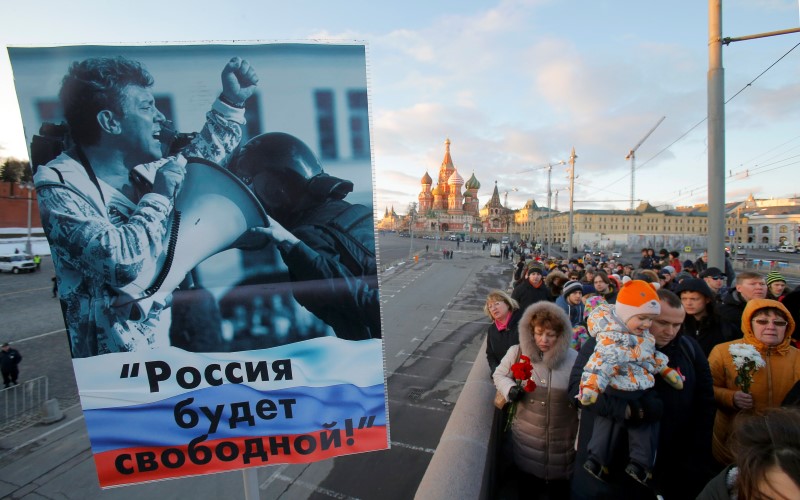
x,y
433,326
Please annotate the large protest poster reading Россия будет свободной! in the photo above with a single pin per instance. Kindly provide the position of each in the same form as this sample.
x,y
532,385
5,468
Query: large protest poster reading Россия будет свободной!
x,y
221,297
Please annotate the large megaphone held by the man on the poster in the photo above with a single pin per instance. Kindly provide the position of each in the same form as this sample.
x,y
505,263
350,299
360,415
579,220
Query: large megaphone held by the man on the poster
x,y
212,211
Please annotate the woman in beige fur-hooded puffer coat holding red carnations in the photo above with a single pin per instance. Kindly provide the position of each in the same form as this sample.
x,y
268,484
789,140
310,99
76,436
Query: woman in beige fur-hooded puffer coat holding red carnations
x,y
546,422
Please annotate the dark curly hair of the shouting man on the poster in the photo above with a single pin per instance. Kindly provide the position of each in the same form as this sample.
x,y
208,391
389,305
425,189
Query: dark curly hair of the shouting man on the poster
x,y
93,85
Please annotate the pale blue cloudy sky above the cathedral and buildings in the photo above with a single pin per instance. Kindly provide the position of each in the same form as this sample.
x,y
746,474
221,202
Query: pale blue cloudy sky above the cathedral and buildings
x,y
513,84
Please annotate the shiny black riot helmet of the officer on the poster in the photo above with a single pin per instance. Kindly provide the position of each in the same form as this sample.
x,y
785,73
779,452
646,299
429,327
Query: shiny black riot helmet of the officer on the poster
x,y
285,175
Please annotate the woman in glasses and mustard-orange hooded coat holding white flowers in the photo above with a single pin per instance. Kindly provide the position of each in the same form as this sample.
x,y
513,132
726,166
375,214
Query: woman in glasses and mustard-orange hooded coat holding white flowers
x,y
768,327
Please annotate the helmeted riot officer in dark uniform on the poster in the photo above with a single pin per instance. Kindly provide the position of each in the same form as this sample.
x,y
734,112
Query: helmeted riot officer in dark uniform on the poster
x,y
327,243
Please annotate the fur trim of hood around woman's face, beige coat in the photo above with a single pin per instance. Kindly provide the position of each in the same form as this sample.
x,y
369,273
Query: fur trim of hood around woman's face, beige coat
x,y
558,317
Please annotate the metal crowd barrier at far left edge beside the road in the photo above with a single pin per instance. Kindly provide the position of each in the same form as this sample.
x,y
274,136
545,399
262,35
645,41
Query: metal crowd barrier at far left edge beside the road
x,y
23,404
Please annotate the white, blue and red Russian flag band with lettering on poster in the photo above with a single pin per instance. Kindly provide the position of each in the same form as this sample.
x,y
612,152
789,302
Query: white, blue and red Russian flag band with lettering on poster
x,y
197,413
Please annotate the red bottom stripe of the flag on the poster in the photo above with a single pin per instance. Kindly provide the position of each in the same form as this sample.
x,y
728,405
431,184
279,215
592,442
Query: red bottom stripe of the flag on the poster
x,y
363,440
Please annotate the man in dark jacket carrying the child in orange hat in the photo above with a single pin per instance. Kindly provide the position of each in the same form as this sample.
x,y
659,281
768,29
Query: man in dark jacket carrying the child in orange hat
x,y
683,462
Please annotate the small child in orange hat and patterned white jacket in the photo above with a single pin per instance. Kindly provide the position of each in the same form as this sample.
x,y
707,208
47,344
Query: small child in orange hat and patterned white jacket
x,y
624,358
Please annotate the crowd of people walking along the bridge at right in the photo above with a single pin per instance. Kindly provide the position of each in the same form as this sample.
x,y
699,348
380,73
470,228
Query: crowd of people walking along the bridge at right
x,y
664,379
